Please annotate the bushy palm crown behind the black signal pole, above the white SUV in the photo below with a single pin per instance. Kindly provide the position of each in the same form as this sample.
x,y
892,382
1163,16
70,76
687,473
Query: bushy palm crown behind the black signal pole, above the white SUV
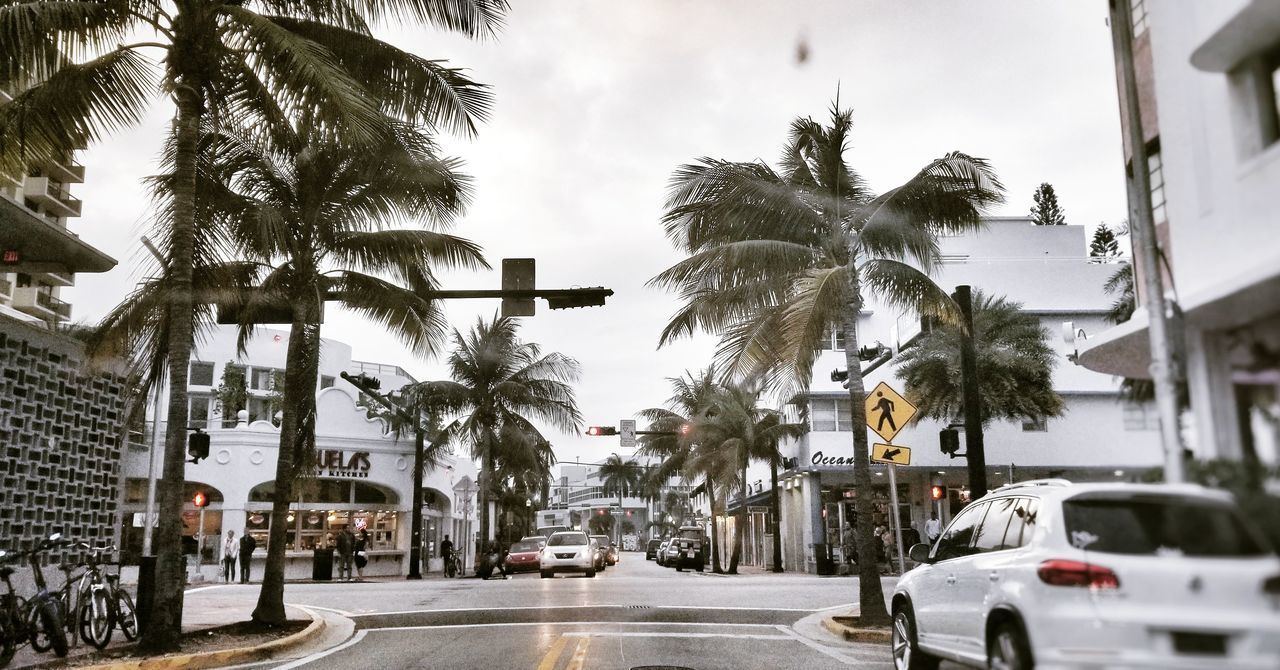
x,y
1013,353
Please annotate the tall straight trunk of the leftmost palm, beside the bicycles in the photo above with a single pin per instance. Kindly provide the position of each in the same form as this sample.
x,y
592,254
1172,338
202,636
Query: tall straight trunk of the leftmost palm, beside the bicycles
x,y
164,631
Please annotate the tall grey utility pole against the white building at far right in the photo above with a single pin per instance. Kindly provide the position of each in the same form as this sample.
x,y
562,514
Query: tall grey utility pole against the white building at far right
x,y
1163,371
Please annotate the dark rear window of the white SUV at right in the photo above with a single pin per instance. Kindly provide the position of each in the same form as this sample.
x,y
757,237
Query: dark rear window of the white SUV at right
x,y
1159,526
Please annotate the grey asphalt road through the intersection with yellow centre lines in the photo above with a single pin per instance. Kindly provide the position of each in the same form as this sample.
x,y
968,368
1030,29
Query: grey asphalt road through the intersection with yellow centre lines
x,y
636,616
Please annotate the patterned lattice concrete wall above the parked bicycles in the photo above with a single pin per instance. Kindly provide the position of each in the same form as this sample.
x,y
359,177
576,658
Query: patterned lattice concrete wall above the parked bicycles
x,y
60,439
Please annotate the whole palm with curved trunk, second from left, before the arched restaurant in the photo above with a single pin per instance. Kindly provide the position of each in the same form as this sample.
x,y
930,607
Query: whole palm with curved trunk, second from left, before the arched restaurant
x,y
319,217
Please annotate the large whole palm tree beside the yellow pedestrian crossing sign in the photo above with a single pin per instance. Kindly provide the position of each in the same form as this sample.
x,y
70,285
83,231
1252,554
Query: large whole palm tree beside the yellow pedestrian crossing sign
x,y
779,258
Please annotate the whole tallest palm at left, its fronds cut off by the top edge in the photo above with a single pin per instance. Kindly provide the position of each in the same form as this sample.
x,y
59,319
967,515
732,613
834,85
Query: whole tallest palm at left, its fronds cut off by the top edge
x,y
249,63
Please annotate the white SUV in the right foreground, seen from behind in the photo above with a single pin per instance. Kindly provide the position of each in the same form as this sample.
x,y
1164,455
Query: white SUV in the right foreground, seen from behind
x,y
1053,575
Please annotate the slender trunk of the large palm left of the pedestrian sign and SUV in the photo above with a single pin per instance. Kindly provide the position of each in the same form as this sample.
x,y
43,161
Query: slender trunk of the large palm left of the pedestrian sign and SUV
x,y
871,595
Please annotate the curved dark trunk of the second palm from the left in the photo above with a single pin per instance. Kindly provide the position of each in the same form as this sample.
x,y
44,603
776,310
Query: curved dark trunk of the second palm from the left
x,y
296,450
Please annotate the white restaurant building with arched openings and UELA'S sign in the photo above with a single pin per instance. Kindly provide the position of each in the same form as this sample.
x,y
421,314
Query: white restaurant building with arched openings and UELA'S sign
x,y
363,472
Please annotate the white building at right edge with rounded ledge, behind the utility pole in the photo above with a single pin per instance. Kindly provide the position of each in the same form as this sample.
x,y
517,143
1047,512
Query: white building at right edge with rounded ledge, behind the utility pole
x,y
1212,72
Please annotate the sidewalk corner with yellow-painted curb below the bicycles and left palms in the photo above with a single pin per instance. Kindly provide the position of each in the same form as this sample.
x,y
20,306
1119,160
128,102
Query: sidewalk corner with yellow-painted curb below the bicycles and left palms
x,y
204,612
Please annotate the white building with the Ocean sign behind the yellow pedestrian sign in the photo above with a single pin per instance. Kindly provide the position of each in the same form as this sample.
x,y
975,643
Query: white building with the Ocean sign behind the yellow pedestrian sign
x,y
1099,437
